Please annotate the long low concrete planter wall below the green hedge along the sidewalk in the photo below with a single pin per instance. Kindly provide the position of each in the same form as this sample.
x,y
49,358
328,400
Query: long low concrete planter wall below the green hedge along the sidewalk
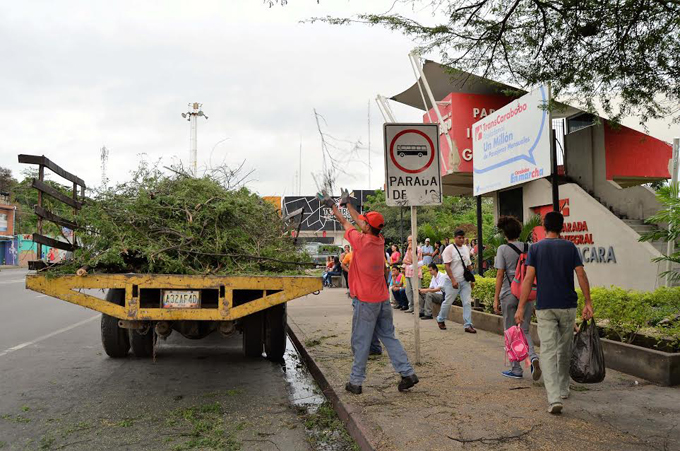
x,y
660,367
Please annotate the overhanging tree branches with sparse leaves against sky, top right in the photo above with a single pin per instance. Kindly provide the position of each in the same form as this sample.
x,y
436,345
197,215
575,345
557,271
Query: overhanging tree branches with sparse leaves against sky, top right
x,y
620,54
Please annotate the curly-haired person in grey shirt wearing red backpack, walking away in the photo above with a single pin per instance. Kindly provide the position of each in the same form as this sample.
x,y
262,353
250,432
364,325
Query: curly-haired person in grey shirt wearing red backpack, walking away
x,y
510,263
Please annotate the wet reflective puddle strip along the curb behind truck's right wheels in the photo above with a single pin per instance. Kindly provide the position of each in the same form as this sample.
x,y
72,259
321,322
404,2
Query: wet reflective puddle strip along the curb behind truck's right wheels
x,y
304,393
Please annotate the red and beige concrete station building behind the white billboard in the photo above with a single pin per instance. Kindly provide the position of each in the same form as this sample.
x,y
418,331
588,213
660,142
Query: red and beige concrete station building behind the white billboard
x,y
603,171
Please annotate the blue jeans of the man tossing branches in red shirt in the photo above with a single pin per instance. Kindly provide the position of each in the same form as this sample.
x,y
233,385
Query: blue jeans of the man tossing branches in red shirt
x,y
371,319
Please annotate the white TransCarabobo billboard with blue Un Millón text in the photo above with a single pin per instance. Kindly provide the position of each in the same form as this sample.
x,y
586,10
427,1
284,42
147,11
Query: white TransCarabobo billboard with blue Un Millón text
x,y
512,145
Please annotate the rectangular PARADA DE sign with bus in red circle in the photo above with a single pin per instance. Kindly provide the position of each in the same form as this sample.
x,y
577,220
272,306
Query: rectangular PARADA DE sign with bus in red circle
x,y
412,176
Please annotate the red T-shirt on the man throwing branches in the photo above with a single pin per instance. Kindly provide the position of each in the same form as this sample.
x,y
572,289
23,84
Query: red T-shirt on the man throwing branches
x,y
367,271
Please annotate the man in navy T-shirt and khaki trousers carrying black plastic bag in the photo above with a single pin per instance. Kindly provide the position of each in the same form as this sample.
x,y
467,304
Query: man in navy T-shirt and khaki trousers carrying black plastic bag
x,y
552,263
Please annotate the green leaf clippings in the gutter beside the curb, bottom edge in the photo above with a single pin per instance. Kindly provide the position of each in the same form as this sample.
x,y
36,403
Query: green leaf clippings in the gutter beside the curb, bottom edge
x,y
325,428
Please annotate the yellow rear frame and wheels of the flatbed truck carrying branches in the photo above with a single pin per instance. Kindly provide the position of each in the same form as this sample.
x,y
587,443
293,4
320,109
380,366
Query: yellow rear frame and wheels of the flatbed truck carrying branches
x,y
138,308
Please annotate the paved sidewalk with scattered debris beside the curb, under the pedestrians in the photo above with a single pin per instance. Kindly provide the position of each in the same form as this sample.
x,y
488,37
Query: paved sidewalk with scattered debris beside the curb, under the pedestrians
x,y
462,401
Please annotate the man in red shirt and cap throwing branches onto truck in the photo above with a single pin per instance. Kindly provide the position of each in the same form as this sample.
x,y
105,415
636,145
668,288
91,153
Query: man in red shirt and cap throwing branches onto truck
x,y
372,312
